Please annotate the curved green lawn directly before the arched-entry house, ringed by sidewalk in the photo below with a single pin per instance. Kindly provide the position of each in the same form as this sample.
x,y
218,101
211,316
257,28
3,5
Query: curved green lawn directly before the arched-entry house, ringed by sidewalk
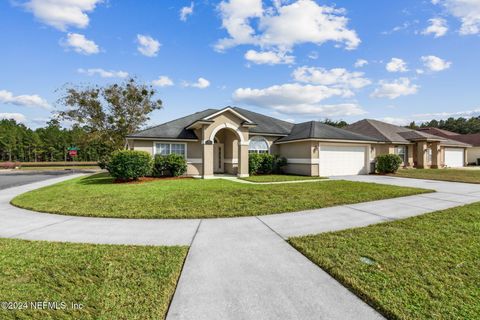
x,y
195,198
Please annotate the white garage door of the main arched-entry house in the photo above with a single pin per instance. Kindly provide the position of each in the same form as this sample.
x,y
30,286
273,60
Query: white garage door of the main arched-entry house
x,y
342,161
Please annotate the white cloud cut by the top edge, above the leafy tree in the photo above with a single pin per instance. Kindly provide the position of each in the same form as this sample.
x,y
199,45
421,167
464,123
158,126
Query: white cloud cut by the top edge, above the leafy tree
x,y
61,14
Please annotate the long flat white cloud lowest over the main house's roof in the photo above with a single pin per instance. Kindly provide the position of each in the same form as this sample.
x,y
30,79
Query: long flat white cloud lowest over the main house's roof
x,y
294,98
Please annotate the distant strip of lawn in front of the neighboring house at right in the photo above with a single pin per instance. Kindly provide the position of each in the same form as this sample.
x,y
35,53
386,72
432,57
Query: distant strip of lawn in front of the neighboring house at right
x,y
456,175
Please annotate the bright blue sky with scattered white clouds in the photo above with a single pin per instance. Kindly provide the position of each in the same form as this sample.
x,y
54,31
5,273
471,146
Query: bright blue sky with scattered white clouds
x,y
295,60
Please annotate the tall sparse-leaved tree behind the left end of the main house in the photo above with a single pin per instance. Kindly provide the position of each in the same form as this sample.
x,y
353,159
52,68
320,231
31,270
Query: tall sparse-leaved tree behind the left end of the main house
x,y
112,112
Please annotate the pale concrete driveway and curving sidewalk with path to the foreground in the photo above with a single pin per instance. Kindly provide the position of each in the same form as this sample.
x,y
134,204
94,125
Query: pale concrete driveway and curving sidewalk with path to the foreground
x,y
241,268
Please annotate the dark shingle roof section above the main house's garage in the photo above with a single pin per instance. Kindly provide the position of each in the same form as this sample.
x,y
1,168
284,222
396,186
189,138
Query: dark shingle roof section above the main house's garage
x,y
318,130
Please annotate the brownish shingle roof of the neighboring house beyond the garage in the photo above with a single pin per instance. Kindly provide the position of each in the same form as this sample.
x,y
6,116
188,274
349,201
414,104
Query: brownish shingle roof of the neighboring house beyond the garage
x,y
387,132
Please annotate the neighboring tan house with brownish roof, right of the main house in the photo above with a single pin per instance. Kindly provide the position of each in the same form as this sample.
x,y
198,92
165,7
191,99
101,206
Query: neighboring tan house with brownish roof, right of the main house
x,y
417,148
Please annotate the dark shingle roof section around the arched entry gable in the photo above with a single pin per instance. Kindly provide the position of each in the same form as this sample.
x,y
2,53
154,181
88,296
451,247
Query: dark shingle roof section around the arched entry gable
x,y
175,129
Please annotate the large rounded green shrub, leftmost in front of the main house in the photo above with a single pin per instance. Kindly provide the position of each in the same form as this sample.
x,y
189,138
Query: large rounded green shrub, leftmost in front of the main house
x,y
129,164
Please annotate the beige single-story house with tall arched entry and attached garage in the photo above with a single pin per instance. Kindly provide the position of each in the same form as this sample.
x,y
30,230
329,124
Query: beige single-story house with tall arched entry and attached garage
x,y
219,141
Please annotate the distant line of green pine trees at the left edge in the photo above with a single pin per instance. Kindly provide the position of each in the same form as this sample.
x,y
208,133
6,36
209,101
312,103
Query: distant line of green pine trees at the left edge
x,y
50,143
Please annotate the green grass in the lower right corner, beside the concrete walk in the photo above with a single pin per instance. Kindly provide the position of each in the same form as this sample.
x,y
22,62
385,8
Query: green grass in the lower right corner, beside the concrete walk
x,y
423,268
